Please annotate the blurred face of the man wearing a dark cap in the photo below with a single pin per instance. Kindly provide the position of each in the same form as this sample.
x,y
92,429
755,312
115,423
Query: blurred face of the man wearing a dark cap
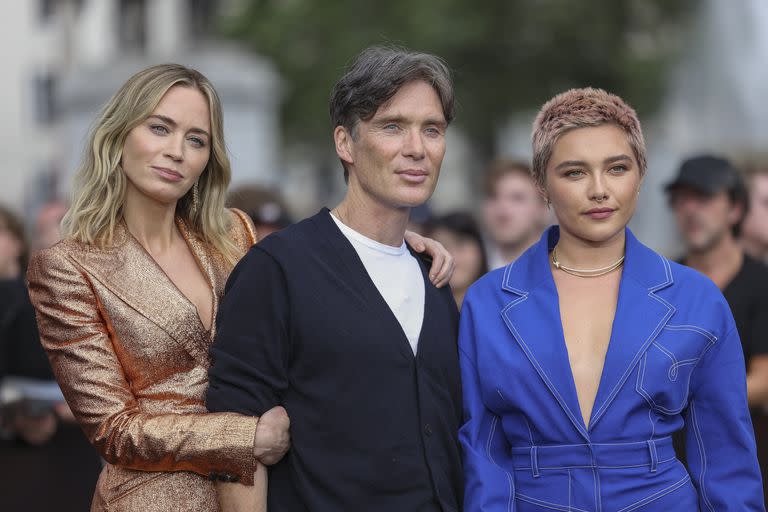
x,y
703,219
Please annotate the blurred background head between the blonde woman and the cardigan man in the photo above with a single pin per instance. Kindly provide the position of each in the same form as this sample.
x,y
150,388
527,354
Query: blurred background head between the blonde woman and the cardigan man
x,y
264,206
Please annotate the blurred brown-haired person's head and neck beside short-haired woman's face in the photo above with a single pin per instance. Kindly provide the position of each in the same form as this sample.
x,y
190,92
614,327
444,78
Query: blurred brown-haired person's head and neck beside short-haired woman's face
x,y
514,211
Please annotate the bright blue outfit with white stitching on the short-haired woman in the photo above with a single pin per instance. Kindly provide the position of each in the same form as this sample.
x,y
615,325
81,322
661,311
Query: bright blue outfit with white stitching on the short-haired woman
x,y
674,362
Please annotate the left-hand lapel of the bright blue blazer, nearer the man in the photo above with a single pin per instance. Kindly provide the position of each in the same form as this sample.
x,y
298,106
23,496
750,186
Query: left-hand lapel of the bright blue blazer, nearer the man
x,y
533,318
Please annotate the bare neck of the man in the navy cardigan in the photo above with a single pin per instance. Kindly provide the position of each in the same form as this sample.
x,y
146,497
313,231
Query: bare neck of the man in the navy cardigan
x,y
386,225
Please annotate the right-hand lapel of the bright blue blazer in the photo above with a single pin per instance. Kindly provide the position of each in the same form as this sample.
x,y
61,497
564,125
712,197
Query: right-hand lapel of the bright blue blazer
x,y
640,317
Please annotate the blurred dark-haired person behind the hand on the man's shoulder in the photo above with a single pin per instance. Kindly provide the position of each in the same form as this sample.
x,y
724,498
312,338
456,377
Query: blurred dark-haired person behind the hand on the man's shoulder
x,y
460,234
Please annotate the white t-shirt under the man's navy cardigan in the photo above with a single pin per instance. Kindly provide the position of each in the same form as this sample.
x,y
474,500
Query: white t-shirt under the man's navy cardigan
x,y
397,275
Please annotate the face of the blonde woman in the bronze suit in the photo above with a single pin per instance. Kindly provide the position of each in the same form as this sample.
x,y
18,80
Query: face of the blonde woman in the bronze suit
x,y
167,153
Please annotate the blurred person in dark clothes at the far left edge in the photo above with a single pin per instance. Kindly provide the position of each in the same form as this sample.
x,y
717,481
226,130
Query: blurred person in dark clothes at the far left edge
x,y
40,440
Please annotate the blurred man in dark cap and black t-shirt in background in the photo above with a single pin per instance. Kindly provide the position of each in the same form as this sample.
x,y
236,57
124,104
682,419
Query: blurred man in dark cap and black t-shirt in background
x,y
710,201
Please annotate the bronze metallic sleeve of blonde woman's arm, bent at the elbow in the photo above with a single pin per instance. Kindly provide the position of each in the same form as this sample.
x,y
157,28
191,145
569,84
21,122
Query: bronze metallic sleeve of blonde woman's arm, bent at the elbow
x,y
80,343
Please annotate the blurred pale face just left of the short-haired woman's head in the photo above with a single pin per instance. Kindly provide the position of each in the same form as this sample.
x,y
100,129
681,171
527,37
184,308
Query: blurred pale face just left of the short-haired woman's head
x,y
515,212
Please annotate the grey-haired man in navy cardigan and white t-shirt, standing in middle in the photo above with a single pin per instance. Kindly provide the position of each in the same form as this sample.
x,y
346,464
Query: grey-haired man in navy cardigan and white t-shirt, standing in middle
x,y
335,317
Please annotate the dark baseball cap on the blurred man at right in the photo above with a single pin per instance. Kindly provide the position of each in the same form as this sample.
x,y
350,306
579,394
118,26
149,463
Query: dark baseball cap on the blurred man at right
x,y
707,174
